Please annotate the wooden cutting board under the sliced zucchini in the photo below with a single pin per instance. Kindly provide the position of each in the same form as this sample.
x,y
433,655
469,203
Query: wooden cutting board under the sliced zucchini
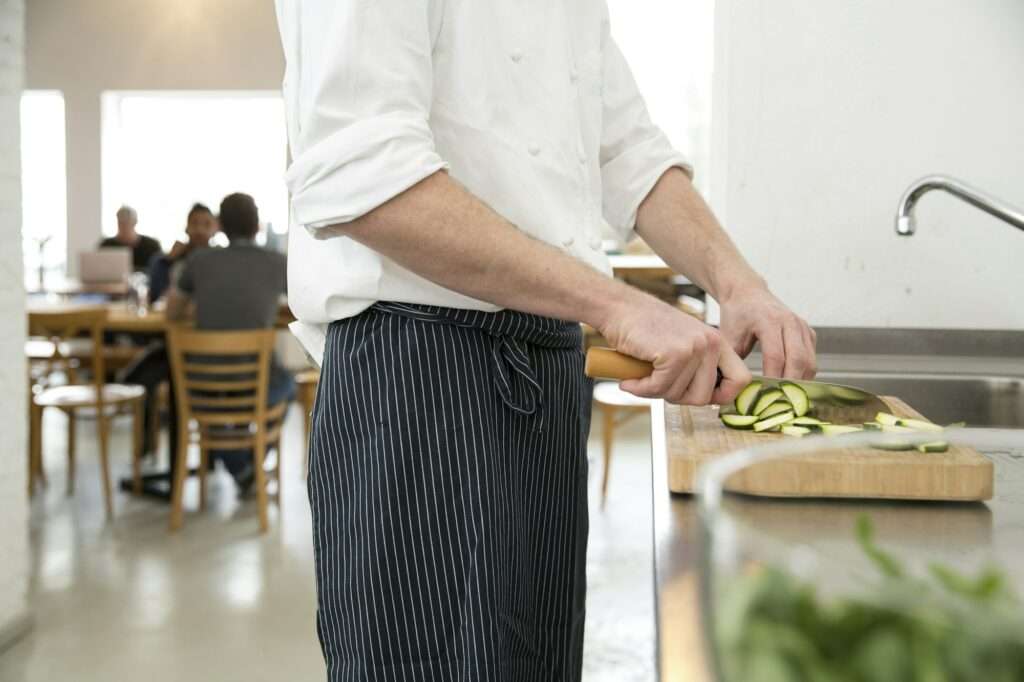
x,y
696,435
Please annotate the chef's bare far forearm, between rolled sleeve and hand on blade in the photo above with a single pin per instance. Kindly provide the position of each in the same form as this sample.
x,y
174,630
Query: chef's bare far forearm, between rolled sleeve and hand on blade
x,y
680,228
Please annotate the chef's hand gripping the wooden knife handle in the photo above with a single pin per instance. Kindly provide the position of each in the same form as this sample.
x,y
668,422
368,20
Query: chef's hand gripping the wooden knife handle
x,y
687,354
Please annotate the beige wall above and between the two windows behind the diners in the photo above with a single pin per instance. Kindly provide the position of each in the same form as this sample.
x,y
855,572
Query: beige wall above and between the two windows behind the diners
x,y
89,47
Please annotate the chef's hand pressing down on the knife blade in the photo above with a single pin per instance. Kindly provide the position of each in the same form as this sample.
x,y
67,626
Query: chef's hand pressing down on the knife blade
x,y
788,344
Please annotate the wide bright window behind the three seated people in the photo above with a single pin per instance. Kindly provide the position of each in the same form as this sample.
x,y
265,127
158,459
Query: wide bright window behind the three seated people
x,y
163,152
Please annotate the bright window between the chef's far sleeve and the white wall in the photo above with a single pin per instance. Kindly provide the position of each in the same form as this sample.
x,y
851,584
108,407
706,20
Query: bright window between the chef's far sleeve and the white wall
x,y
669,46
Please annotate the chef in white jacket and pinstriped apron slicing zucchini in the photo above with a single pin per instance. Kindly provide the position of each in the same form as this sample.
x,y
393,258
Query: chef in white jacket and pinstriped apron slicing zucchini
x,y
455,166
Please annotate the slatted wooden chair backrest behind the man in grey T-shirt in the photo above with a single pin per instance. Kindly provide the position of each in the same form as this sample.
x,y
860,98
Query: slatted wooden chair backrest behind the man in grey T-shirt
x,y
222,381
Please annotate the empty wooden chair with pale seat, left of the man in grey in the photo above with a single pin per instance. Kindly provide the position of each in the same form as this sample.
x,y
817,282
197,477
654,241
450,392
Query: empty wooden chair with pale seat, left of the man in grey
x,y
62,330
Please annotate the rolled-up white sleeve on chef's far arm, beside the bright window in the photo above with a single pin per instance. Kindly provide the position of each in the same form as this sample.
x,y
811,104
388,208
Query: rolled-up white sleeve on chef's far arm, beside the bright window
x,y
634,152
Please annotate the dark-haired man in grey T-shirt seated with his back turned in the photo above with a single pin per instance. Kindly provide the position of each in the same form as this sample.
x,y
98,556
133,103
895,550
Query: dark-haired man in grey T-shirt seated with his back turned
x,y
236,288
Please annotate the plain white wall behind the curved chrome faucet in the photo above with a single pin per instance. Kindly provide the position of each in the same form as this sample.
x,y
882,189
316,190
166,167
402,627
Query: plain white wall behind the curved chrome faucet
x,y
826,111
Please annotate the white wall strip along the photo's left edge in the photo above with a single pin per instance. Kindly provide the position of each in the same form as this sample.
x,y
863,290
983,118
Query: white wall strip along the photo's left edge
x,y
14,419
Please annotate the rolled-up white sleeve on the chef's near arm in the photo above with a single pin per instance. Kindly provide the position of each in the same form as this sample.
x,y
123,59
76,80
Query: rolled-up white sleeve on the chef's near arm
x,y
358,86
